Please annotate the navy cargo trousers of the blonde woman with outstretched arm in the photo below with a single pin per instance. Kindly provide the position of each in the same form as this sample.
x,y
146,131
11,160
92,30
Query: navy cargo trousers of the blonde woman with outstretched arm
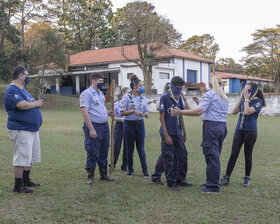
x,y
214,134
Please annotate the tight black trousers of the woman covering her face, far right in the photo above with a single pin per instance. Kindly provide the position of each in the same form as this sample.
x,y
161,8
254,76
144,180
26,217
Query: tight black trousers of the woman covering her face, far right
x,y
248,138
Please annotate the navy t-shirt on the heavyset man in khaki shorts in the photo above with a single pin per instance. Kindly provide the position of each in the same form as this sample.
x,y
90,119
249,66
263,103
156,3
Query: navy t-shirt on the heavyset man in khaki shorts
x,y
26,120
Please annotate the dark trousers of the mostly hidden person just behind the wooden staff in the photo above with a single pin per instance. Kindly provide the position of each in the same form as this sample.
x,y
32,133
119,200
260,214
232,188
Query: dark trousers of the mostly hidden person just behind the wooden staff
x,y
118,137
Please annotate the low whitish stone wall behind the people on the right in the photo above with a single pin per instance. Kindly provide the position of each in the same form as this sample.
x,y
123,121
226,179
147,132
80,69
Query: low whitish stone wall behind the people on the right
x,y
272,103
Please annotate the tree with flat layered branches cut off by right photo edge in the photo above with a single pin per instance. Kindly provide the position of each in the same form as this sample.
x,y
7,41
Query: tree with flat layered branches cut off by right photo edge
x,y
263,56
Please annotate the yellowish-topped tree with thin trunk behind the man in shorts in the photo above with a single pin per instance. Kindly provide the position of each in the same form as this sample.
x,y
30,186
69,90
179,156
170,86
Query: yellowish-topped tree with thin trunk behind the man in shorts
x,y
46,51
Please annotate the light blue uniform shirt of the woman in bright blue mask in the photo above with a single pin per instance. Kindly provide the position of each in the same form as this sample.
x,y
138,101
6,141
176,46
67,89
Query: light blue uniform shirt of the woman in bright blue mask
x,y
126,104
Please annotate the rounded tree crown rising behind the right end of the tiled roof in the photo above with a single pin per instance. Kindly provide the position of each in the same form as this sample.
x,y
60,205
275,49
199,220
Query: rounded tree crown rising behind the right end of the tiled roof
x,y
203,46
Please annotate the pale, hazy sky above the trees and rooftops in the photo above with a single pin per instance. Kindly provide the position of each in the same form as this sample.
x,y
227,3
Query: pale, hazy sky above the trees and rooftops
x,y
231,22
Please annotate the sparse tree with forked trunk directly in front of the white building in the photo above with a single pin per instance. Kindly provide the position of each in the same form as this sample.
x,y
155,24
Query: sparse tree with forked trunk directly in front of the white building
x,y
139,24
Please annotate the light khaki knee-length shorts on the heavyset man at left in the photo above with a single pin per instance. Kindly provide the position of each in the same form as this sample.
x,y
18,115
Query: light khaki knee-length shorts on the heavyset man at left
x,y
26,147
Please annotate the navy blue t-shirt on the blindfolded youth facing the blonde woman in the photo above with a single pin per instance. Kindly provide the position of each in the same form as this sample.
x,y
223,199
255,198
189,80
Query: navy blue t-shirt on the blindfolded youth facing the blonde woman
x,y
172,122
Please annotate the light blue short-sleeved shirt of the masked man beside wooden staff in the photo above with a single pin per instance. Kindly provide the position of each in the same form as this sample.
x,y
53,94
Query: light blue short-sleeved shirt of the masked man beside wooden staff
x,y
95,102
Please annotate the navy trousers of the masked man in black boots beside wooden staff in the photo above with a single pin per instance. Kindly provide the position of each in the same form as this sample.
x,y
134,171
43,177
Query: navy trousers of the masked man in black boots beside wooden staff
x,y
97,148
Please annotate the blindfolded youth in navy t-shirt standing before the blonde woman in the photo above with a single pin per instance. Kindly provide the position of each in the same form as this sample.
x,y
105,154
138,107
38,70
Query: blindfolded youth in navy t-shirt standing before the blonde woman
x,y
172,137
